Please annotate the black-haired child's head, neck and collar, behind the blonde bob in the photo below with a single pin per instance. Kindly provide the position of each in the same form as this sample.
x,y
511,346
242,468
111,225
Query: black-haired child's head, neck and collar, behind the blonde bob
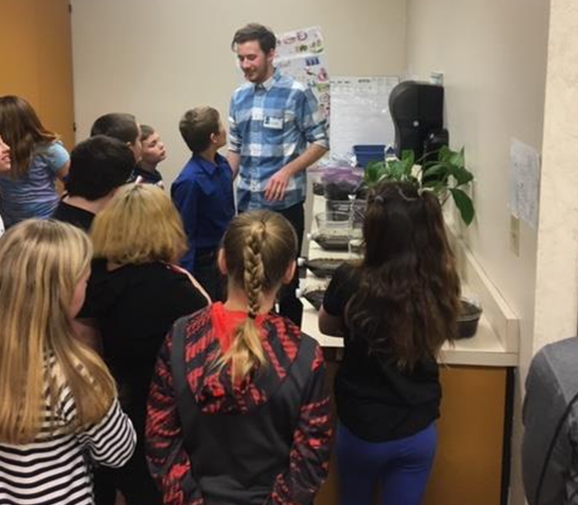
x,y
98,166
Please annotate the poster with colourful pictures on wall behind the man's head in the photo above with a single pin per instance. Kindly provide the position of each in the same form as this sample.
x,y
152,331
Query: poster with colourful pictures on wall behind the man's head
x,y
300,54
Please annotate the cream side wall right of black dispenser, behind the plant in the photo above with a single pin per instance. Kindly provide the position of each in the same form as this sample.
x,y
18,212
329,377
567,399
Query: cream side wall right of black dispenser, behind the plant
x,y
493,54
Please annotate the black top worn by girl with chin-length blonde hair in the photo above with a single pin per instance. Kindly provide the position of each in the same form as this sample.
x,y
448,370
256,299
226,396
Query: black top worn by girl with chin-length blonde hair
x,y
135,306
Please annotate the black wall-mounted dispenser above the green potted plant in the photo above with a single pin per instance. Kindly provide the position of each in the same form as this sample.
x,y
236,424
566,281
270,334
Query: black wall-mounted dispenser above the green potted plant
x,y
417,112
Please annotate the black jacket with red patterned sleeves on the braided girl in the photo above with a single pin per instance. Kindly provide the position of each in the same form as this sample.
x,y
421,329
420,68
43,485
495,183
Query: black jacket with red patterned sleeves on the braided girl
x,y
288,404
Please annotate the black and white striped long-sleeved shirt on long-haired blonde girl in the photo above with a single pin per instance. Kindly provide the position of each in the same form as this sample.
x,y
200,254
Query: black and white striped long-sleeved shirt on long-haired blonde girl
x,y
57,467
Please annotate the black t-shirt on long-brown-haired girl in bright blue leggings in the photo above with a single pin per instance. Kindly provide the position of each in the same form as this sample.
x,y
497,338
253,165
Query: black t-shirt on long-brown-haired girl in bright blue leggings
x,y
375,399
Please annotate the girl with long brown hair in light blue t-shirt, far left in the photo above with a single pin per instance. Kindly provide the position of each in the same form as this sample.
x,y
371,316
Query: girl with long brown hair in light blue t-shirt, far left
x,y
38,159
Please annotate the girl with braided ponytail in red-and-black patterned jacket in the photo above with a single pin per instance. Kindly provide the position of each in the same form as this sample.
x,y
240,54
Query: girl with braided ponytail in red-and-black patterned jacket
x,y
239,409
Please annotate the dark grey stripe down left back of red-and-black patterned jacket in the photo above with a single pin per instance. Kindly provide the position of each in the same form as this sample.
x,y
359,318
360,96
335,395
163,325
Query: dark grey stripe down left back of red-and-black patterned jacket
x,y
186,405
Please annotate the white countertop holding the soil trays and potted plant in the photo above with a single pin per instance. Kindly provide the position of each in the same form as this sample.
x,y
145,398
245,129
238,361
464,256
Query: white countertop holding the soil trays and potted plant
x,y
484,349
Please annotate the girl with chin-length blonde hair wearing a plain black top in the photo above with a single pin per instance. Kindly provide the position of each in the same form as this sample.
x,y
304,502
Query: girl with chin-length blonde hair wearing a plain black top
x,y
135,293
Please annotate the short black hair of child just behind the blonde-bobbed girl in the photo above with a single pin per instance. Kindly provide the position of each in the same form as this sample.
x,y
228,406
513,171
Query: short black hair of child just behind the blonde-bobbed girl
x,y
98,165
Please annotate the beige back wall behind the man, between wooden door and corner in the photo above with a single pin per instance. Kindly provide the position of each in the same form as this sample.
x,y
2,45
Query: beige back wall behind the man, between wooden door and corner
x,y
157,58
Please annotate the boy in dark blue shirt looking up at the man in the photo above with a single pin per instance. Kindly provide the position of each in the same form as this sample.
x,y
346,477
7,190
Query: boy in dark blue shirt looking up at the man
x,y
203,194
